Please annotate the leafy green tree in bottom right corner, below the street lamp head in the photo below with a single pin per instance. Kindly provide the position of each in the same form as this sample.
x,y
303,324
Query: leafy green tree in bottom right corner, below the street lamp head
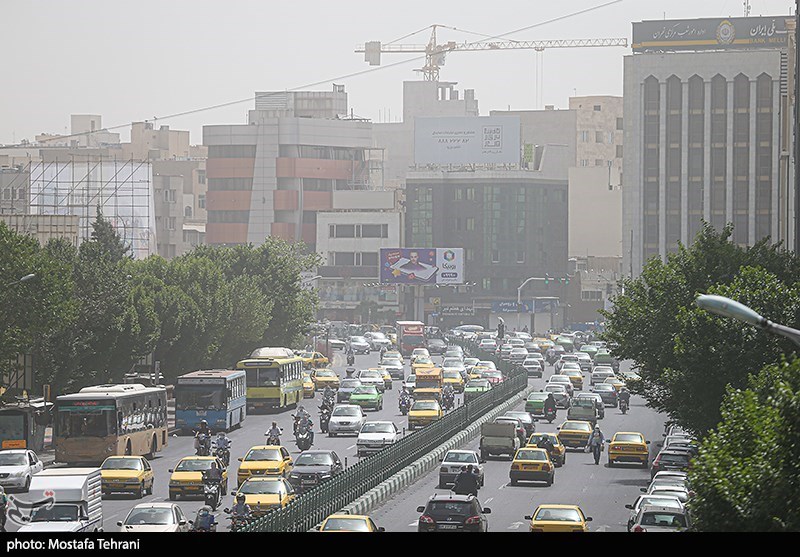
x,y
746,477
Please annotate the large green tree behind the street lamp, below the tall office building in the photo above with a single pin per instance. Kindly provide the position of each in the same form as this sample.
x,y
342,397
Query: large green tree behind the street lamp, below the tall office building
x,y
685,356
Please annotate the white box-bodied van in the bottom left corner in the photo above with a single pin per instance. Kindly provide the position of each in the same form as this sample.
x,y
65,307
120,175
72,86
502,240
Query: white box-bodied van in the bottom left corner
x,y
73,501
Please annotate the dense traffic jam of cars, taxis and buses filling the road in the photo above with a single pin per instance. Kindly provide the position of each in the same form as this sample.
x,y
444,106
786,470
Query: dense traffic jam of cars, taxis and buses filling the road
x,y
577,453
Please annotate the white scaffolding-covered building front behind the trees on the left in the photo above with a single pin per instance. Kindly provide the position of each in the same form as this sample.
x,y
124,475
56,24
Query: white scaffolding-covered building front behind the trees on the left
x,y
122,190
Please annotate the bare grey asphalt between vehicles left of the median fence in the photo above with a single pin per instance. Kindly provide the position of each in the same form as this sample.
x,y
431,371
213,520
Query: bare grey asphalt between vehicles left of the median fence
x,y
116,507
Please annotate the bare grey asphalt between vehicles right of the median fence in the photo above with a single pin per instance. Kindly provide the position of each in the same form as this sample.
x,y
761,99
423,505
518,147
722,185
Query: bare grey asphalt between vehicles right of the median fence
x,y
600,491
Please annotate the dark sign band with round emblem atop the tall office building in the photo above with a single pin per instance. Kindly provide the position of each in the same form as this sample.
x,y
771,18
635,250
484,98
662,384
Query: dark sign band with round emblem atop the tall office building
x,y
710,34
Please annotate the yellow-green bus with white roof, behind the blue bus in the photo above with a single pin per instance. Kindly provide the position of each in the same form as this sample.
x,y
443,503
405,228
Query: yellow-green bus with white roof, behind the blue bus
x,y
274,378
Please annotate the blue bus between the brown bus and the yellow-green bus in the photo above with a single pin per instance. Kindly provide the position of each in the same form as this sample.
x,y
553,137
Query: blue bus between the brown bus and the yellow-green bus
x,y
217,396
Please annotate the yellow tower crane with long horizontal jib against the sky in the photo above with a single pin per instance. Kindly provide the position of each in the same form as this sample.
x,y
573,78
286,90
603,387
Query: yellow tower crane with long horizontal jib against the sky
x,y
435,53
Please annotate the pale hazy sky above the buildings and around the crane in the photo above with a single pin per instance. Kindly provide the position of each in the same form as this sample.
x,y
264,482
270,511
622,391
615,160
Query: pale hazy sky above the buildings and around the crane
x,y
134,60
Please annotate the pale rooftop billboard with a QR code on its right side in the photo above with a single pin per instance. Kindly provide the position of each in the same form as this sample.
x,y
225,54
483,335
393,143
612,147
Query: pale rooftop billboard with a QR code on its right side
x,y
467,140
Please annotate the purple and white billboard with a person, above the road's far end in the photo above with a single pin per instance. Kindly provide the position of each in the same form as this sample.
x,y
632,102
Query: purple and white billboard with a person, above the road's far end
x,y
422,265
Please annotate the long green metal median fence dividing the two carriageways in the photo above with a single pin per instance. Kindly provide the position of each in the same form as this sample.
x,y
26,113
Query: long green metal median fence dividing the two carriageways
x,y
312,507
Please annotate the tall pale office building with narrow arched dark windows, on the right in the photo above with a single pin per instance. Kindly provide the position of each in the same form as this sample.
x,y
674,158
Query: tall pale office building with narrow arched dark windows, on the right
x,y
707,134
